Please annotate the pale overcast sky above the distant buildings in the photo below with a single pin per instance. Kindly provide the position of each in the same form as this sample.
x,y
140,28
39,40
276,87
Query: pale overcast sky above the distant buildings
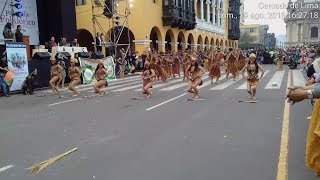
x,y
256,7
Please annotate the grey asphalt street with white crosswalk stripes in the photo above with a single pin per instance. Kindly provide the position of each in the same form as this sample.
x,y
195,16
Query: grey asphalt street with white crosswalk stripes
x,y
163,138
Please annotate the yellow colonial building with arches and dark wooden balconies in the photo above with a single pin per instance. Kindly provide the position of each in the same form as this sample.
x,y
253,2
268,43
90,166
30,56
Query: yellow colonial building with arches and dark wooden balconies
x,y
159,24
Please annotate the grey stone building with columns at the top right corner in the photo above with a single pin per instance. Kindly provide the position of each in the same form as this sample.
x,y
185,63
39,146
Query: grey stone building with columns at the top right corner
x,y
302,22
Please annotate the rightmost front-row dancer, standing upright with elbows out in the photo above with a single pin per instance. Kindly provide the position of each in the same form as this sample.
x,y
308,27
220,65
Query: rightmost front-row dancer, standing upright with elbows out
x,y
252,69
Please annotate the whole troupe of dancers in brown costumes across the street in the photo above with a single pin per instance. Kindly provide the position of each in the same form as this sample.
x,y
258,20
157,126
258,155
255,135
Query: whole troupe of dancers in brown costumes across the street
x,y
162,66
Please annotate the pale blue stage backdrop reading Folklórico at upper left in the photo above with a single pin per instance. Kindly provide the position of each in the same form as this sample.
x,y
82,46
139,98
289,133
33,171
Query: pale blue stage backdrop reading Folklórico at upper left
x,y
29,20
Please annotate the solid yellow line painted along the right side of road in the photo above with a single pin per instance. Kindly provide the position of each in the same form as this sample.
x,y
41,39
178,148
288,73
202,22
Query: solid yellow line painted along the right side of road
x,y
284,147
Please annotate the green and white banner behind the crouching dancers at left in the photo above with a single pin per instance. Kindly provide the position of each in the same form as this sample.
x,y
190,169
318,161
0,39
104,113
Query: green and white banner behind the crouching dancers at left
x,y
89,67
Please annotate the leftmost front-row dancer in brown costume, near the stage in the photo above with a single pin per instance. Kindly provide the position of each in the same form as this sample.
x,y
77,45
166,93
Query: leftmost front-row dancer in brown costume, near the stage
x,y
56,75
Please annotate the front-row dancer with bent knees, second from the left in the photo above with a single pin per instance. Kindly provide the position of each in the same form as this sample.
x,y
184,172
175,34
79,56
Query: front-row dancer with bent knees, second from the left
x,y
74,73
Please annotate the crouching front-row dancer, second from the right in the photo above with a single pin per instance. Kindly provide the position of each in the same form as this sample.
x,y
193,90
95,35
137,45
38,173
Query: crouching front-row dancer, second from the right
x,y
194,74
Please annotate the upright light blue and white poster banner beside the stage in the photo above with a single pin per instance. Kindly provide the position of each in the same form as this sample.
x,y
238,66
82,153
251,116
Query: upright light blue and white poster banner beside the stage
x,y
17,62
